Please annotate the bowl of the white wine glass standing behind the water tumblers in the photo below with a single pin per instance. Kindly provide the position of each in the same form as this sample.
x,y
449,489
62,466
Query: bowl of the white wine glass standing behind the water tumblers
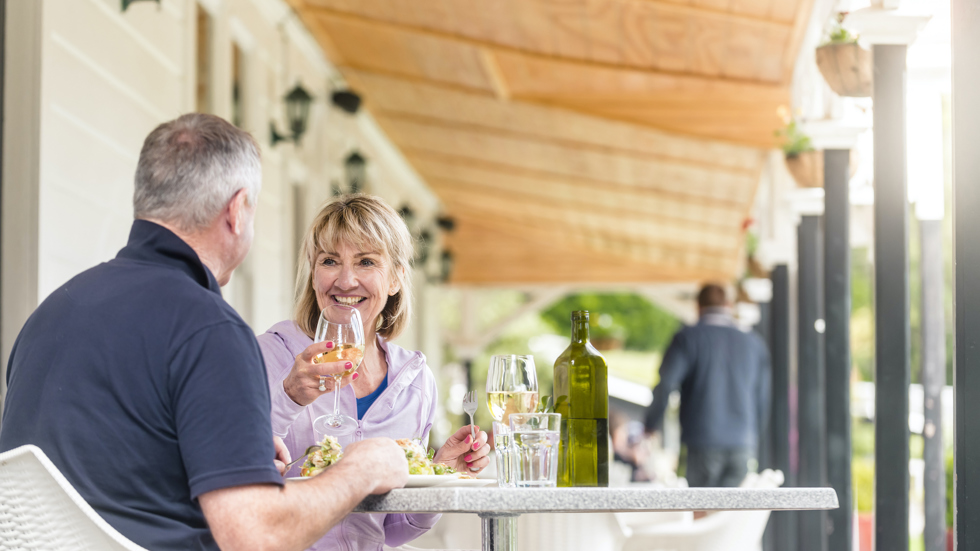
x,y
512,386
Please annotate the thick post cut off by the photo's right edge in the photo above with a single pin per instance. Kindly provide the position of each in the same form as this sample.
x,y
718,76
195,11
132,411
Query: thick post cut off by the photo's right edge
x,y
965,15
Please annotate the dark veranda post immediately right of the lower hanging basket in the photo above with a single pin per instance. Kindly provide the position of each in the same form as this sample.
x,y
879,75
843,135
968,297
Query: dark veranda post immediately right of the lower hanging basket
x,y
837,341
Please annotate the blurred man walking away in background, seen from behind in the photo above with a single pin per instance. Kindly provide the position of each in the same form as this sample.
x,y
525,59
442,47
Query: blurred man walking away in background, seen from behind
x,y
724,376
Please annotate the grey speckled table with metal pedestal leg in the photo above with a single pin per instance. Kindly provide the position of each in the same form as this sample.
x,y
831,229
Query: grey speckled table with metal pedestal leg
x,y
499,508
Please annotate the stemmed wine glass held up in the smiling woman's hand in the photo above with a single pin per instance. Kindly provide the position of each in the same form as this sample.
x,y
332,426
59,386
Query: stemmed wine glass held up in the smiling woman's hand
x,y
342,325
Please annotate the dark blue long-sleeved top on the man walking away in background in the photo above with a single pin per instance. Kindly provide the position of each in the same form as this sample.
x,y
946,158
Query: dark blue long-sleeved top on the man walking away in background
x,y
724,377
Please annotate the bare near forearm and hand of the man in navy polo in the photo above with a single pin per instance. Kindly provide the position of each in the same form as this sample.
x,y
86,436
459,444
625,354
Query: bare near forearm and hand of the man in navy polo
x,y
263,516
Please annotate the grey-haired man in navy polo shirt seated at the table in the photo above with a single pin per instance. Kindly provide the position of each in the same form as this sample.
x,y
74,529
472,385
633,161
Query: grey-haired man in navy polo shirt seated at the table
x,y
149,392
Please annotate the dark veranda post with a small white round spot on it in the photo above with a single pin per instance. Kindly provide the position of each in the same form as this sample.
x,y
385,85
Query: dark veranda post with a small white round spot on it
x,y
811,381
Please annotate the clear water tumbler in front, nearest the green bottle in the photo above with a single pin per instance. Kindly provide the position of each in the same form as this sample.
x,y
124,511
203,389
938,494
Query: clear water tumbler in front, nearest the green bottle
x,y
535,439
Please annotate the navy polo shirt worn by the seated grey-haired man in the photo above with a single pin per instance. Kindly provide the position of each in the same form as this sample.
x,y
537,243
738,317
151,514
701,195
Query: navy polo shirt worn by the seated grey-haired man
x,y
145,388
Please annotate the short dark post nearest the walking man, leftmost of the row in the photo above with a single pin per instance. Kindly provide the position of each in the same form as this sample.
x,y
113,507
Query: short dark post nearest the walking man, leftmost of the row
x,y
781,531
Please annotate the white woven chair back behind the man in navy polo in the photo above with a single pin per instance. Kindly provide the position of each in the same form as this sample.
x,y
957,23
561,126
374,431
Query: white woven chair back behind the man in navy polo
x,y
40,511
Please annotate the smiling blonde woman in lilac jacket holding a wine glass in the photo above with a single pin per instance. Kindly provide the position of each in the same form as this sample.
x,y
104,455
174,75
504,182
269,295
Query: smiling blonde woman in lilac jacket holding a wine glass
x,y
358,252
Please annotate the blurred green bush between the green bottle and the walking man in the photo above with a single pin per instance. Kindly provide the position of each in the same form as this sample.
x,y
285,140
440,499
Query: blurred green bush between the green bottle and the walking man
x,y
631,317
